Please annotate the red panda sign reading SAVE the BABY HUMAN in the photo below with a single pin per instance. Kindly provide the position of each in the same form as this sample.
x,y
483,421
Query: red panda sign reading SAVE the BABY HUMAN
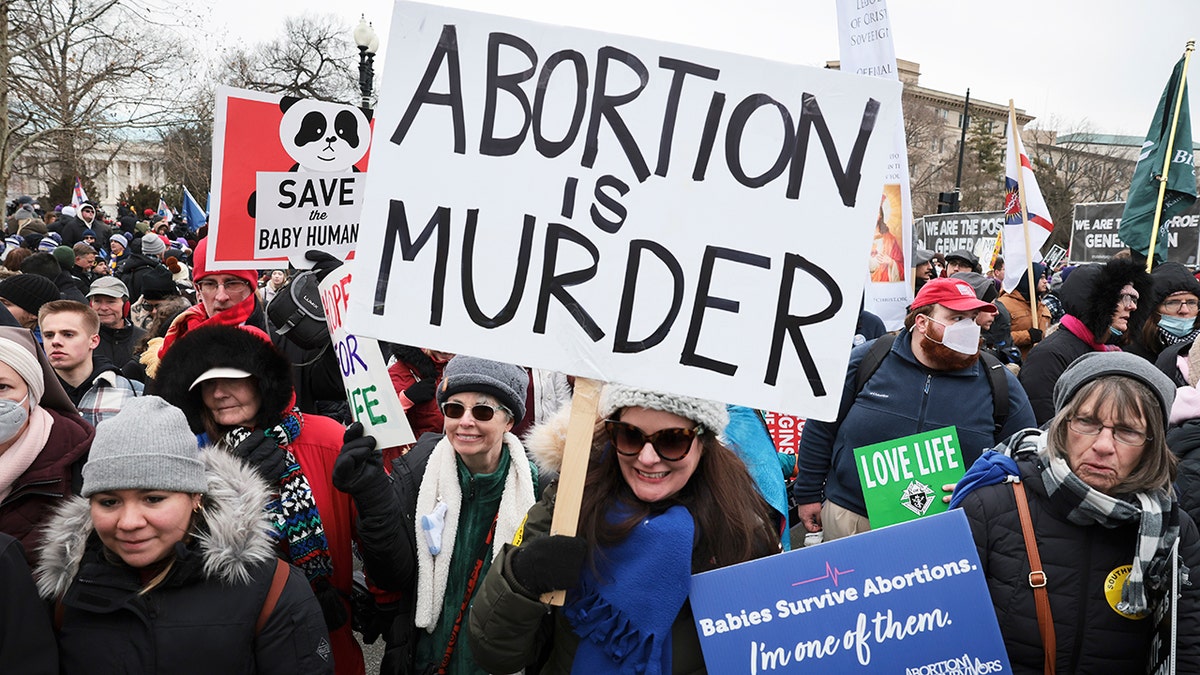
x,y
287,177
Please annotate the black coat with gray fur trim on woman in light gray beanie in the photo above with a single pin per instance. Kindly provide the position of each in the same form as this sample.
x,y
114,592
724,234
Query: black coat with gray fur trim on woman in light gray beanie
x,y
202,618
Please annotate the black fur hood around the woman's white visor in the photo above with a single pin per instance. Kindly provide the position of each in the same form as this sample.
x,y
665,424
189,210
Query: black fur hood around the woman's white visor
x,y
225,347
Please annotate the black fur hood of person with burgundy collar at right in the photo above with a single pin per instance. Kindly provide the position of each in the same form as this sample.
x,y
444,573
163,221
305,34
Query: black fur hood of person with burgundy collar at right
x,y
1091,295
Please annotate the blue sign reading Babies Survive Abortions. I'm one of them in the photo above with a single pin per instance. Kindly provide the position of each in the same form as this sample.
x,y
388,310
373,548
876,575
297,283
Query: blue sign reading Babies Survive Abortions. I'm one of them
x,y
907,599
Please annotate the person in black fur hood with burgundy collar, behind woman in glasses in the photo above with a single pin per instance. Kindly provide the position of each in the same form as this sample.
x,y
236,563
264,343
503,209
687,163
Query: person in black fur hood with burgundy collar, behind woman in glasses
x,y
1103,303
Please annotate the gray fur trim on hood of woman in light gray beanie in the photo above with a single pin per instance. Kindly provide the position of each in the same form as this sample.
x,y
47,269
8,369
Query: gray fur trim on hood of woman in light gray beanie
x,y
235,540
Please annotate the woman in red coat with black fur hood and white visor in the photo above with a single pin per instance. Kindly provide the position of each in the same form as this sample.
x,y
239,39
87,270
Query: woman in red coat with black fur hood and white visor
x,y
236,390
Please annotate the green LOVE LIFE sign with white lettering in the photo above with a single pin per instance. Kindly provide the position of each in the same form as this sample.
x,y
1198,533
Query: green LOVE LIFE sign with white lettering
x,y
903,479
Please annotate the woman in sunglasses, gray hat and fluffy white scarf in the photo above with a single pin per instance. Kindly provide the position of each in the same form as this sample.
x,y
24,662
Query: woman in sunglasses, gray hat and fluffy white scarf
x,y
433,530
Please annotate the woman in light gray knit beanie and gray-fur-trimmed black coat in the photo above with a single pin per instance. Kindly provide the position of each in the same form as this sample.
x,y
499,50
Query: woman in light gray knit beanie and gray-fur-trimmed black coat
x,y
163,565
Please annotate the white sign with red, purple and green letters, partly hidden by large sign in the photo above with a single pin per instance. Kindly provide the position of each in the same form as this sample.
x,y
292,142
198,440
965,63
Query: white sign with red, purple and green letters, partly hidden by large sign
x,y
374,402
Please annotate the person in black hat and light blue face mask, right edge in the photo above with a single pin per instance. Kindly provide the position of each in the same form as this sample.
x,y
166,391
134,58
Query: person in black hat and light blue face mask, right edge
x,y
1175,301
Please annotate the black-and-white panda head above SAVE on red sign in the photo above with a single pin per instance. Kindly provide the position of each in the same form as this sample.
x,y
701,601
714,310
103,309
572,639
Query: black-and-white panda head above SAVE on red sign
x,y
325,138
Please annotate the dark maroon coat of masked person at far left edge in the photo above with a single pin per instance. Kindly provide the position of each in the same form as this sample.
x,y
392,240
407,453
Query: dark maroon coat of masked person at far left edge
x,y
55,475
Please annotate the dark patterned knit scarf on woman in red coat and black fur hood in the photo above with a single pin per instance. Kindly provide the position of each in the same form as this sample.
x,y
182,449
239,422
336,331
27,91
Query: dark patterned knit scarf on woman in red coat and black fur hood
x,y
293,509
